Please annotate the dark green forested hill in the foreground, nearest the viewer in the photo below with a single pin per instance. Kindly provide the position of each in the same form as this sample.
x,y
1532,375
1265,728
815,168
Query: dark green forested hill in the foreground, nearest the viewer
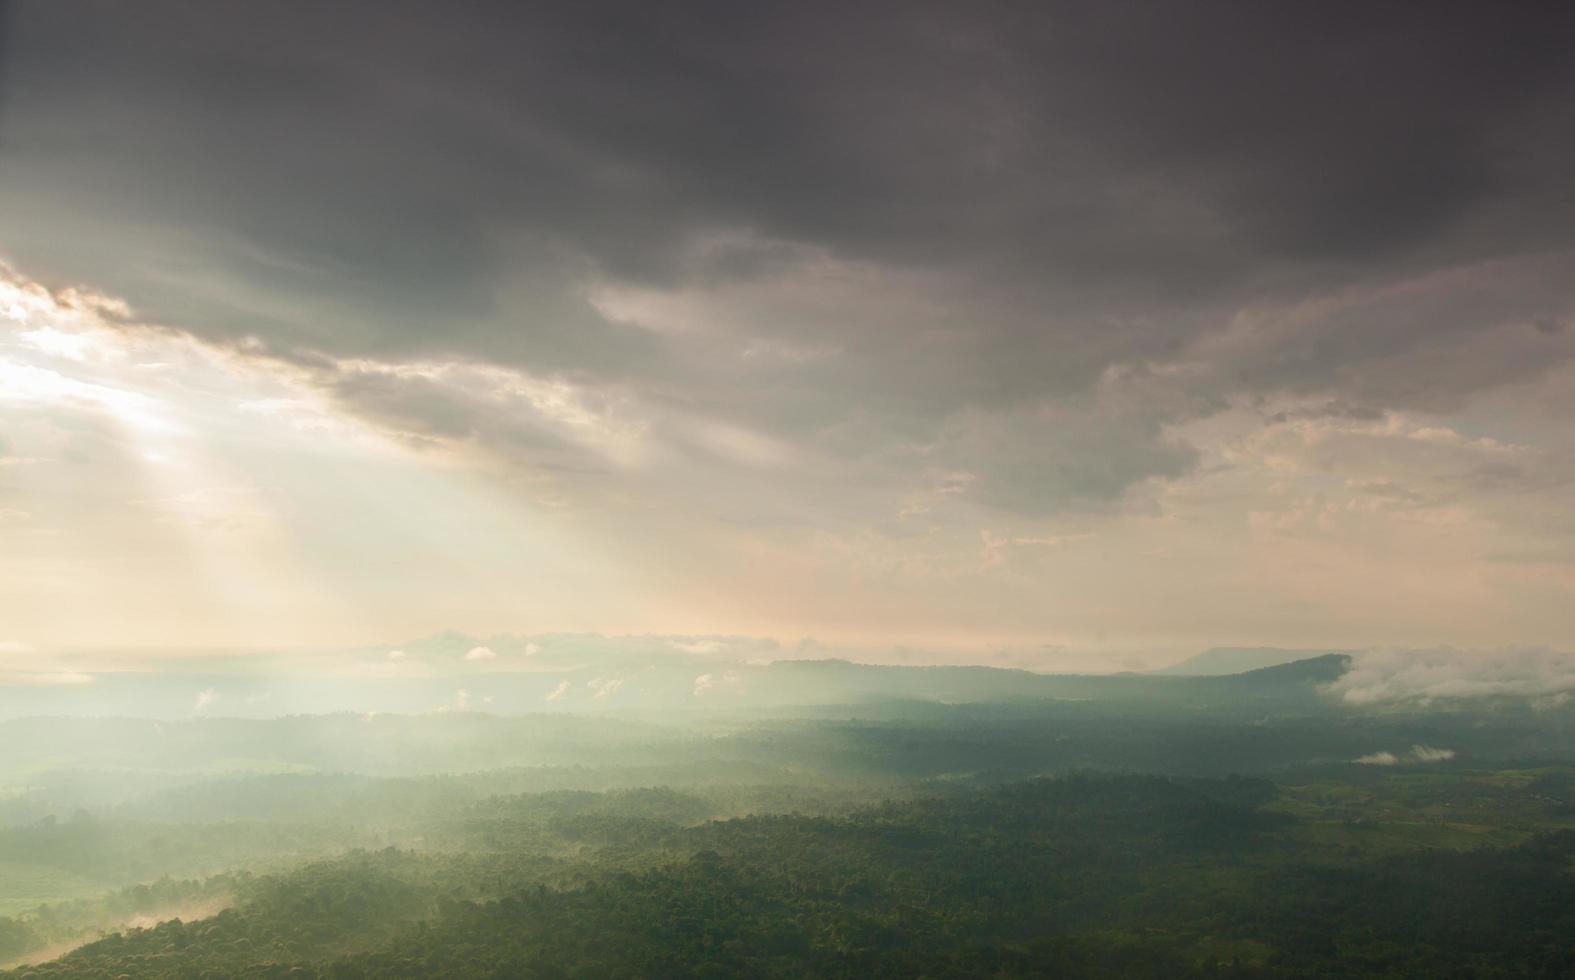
x,y
1080,877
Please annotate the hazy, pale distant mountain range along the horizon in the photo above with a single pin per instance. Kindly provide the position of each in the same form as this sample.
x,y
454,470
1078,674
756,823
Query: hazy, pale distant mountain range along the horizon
x,y
659,678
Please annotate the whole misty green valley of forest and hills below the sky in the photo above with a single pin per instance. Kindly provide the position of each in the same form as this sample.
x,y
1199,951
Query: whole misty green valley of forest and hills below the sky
x,y
922,823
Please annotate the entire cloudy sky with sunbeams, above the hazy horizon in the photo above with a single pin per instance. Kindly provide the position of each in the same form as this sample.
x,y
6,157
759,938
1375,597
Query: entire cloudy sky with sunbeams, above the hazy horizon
x,y
1072,329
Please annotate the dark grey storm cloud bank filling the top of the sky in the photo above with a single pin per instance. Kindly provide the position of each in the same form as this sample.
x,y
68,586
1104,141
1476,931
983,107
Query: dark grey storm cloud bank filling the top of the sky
x,y
1072,187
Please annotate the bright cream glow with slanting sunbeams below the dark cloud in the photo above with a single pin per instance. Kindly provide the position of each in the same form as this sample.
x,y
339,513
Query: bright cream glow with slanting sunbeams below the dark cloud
x,y
165,494
